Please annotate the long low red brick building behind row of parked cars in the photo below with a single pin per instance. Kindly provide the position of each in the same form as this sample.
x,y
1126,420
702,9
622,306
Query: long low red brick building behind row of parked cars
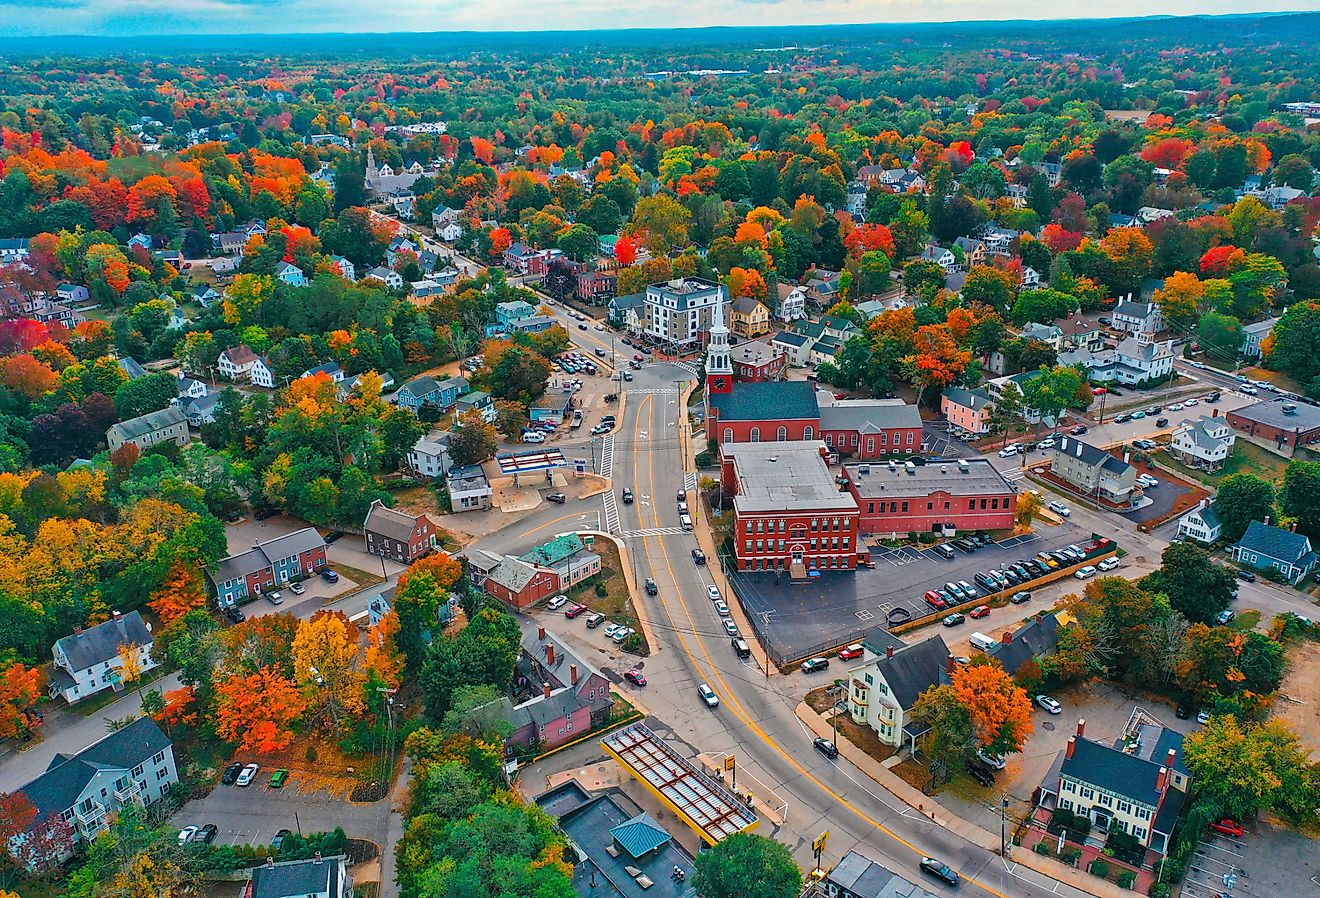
x,y
904,497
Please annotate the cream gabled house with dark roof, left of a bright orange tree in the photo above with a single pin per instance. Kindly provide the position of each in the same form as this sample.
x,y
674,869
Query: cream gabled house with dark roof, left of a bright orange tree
x,y
885,687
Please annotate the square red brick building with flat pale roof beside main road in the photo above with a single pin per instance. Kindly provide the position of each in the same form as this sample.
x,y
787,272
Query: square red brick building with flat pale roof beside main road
x,y
789,512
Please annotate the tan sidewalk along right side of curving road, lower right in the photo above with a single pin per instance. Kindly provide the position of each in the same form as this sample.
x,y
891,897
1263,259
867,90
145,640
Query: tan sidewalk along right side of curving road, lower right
x,y
927,806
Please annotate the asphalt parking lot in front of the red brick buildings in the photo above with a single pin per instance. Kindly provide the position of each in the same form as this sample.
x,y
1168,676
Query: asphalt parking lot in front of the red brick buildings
x,y
801,617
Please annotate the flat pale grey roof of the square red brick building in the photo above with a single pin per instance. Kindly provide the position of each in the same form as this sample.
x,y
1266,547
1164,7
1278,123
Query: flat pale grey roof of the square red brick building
x,y
790,476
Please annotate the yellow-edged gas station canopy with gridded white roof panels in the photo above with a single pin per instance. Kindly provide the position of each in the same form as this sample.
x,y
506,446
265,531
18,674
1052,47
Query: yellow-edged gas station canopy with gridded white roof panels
x,y
704,805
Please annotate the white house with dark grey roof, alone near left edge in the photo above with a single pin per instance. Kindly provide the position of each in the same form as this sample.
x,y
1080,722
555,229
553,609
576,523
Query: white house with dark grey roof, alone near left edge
x,y
92,661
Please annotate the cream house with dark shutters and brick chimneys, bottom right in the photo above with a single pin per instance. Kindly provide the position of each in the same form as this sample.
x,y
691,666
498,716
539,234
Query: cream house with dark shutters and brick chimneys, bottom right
x,y
1136,790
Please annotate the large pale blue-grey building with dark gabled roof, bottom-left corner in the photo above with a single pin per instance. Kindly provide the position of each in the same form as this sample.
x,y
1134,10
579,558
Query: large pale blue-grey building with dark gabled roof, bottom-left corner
x,y
134,765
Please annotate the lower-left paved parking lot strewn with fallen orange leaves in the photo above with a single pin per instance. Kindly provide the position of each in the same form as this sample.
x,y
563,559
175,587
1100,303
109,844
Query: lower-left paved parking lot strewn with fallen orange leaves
x,y
254,814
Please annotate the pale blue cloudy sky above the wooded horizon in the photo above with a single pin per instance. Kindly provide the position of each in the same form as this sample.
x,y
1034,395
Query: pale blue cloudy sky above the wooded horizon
x,y
126,18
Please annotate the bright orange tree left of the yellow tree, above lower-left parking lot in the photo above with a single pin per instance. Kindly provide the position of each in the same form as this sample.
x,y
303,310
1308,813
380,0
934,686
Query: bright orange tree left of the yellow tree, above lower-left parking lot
x,y
258,711
